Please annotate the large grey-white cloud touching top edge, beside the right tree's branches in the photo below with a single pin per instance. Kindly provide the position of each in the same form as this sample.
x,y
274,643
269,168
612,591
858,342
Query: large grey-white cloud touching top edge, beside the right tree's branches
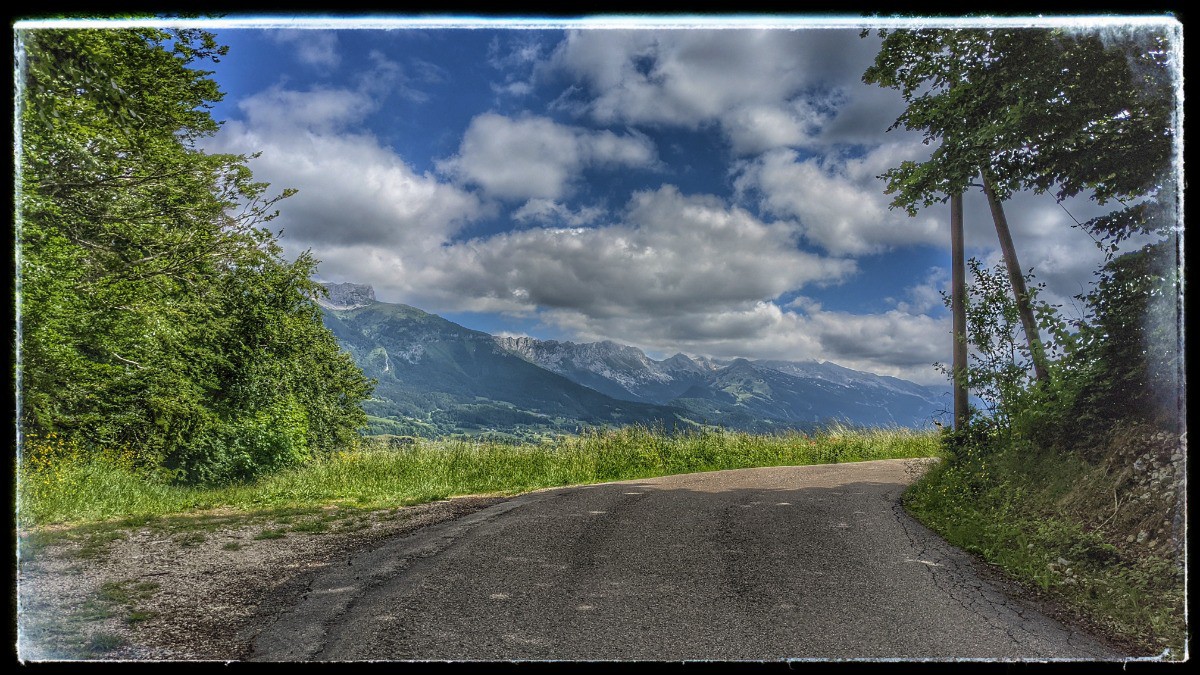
x,y
763,88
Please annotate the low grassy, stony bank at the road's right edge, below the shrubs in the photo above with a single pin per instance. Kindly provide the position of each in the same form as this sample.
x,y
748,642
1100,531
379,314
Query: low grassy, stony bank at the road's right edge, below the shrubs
x,y
1093,536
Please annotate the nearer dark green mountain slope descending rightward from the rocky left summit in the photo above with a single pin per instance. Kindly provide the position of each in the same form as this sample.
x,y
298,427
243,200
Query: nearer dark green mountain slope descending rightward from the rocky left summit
x,y
436,378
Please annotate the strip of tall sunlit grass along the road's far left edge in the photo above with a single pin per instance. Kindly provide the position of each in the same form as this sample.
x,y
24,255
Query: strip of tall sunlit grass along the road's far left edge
x,y
89,489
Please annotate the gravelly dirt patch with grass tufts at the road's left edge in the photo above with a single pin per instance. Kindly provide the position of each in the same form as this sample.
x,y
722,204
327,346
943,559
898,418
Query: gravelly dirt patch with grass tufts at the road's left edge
x,y
190,589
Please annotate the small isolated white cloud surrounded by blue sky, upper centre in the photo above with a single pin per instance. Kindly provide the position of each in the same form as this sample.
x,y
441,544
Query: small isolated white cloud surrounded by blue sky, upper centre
x,y
537,158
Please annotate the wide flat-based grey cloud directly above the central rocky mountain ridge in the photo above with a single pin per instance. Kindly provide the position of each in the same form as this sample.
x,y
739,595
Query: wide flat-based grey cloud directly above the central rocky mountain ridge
x,y
681,273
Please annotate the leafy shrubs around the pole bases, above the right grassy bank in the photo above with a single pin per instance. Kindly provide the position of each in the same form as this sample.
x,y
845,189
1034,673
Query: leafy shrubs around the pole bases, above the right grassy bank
x,y
1120,365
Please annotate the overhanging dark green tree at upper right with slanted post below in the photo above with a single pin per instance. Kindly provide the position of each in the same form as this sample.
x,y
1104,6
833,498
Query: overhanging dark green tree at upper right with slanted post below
x,y
1036,110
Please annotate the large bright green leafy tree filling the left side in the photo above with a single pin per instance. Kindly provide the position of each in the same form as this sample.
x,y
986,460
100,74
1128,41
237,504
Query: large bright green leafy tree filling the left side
x,y
157,312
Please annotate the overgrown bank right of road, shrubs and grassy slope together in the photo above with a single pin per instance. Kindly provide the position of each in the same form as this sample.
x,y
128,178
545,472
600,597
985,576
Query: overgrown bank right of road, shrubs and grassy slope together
x,y
1011,475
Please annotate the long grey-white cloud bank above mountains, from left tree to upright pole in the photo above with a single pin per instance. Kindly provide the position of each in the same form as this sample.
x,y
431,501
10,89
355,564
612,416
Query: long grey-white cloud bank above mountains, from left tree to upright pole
x,y
675,273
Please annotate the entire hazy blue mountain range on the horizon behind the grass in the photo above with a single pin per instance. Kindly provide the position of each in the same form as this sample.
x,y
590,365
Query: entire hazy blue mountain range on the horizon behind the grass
x,y
437,378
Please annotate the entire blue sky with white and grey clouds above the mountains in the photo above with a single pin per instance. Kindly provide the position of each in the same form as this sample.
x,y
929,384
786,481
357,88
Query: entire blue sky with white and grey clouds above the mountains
x,y
710,192
